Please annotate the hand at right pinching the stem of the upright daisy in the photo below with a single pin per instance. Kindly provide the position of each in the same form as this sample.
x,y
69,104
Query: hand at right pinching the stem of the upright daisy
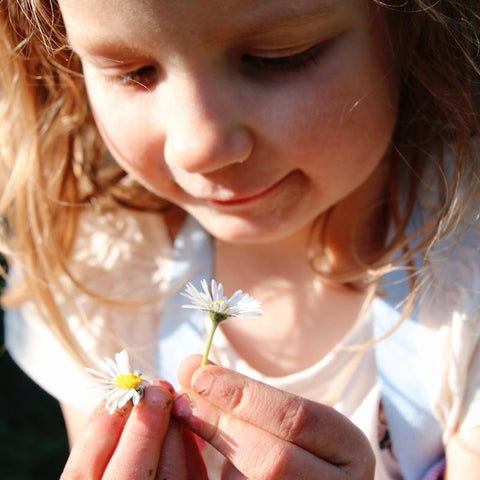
x,y
267,433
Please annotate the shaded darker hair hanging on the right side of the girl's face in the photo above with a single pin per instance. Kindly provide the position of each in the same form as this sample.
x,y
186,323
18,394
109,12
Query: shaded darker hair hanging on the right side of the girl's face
x,y
435,146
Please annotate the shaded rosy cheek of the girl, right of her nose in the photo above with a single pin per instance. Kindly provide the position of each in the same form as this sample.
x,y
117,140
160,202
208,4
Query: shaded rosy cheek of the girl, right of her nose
x,y
348,121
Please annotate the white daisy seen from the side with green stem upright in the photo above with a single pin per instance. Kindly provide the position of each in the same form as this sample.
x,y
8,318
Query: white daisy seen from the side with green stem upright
x,y
219,307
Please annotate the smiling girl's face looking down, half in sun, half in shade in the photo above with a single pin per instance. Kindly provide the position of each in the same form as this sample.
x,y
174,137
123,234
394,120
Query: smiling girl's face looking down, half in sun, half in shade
x,y
255,116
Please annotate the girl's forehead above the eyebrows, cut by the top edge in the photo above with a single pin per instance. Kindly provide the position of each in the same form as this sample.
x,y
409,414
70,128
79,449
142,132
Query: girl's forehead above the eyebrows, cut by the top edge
x,y
89,19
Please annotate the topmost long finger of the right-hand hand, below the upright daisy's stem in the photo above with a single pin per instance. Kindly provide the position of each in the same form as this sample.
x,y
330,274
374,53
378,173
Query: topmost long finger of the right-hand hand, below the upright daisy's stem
x,y
317,428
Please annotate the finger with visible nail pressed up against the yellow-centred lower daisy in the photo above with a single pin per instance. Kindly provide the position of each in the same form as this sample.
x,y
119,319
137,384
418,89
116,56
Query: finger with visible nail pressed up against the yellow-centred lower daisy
x,y
138,450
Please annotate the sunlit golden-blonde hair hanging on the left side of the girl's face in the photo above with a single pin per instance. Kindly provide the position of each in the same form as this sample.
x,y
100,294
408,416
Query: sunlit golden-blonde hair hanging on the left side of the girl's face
x,y
53,162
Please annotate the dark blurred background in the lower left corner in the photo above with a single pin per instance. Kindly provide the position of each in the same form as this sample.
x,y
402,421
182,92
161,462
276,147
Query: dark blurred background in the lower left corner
x,y
33,440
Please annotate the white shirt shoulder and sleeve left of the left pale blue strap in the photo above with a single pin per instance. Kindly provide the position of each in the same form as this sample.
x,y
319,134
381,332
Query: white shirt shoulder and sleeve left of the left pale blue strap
x,y
119,272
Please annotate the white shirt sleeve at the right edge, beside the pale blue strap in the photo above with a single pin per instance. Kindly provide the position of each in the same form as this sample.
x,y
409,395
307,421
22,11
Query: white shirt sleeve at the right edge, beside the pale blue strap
x,y
451,317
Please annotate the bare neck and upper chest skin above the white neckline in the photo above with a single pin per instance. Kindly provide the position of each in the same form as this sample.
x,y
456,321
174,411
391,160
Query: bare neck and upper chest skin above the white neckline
x,y
302,313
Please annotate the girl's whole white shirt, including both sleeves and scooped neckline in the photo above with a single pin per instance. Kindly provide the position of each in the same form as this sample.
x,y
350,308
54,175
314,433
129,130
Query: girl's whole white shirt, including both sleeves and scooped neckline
x,y
127,255
